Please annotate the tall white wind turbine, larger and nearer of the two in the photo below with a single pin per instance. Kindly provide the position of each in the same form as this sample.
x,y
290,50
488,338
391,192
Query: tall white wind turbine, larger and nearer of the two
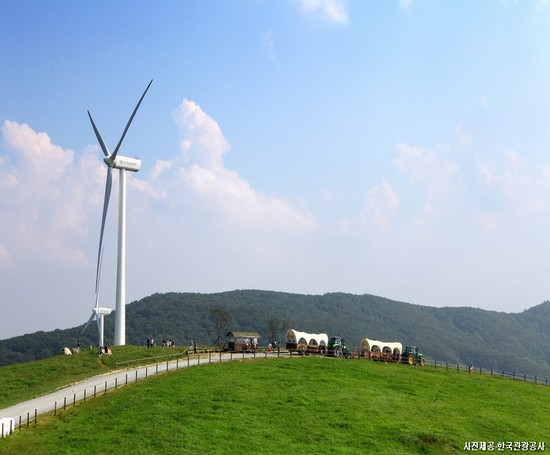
x,y
123,164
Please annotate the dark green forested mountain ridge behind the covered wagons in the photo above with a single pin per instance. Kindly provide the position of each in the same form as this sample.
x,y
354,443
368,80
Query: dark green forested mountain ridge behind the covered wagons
x,y
503,341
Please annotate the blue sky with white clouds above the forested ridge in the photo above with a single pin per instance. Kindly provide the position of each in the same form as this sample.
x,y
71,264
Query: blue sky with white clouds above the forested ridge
x,y
397,148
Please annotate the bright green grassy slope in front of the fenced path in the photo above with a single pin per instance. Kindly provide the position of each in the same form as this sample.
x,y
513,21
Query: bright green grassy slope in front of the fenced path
x,y
296,405
